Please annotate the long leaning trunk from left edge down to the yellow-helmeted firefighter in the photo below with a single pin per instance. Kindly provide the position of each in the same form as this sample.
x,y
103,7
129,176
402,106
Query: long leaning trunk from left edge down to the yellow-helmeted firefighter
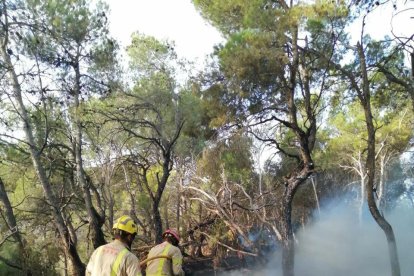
x,y
76,264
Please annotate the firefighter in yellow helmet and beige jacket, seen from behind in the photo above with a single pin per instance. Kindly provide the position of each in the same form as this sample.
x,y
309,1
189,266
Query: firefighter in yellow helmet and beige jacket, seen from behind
x,y
115,258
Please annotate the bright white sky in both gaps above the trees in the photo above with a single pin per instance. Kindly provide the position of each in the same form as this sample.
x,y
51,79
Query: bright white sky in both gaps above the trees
x,y
179,21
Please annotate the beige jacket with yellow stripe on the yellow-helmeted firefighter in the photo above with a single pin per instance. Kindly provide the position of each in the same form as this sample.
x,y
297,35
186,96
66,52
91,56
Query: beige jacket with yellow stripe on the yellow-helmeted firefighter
x,y
113,259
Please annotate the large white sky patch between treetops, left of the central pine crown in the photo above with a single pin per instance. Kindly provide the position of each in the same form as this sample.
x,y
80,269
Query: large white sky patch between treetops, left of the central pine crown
x,y
175,20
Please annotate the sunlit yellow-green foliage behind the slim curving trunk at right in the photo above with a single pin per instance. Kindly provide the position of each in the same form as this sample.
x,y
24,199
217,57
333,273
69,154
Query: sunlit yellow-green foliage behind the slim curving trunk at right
x,y
345,136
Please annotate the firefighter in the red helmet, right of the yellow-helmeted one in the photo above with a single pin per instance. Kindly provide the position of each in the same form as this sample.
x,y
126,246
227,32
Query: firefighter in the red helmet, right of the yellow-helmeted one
x,y
170,258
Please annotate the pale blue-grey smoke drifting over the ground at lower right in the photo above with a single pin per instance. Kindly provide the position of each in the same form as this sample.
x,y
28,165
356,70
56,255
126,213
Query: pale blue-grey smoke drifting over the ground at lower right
x,y
337,243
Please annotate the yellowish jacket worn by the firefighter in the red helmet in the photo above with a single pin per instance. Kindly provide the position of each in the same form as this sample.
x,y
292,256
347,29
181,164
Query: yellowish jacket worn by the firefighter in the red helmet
x,y
162,266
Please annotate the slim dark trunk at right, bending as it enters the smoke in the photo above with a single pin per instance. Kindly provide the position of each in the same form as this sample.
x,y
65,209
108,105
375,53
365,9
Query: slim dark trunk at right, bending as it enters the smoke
x,y
365,96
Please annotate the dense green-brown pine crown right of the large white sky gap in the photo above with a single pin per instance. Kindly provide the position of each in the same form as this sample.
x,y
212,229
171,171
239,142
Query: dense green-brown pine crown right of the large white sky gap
x,y
256,59
